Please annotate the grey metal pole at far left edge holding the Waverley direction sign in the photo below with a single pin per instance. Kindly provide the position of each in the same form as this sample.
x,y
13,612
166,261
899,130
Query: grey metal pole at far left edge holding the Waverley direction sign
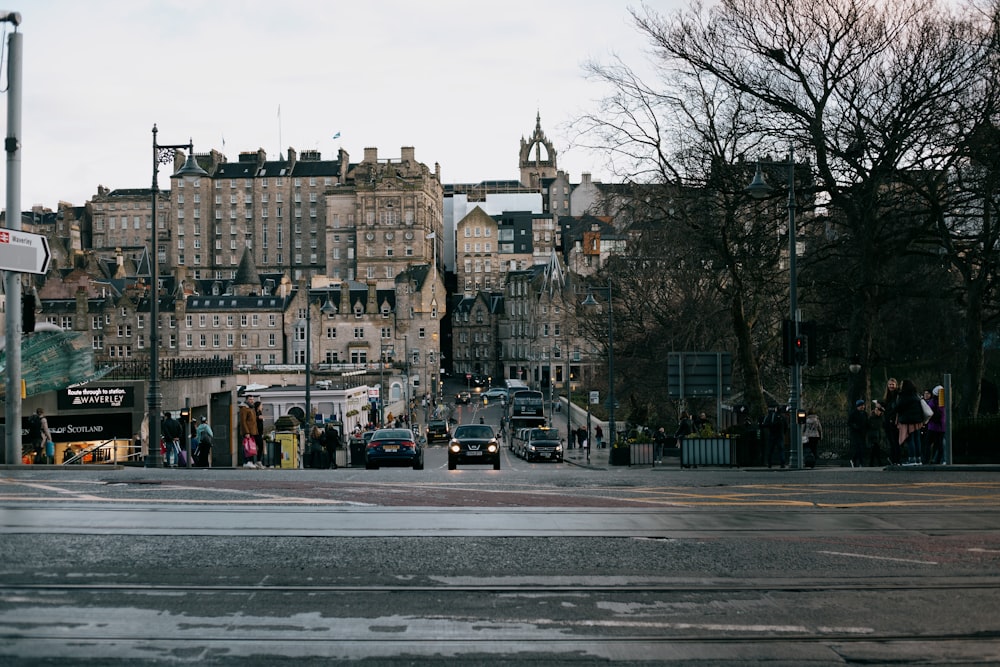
x,y
12,279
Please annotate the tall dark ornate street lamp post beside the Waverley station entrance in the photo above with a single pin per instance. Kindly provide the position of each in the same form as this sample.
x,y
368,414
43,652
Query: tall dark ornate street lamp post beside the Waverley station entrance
x,y
162,154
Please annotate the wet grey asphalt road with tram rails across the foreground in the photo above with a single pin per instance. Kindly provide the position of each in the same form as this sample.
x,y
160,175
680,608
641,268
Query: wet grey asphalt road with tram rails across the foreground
x,y
571,563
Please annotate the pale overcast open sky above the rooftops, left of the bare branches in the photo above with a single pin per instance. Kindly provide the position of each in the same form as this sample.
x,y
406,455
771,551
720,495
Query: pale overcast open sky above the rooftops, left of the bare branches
x,y
459,80
